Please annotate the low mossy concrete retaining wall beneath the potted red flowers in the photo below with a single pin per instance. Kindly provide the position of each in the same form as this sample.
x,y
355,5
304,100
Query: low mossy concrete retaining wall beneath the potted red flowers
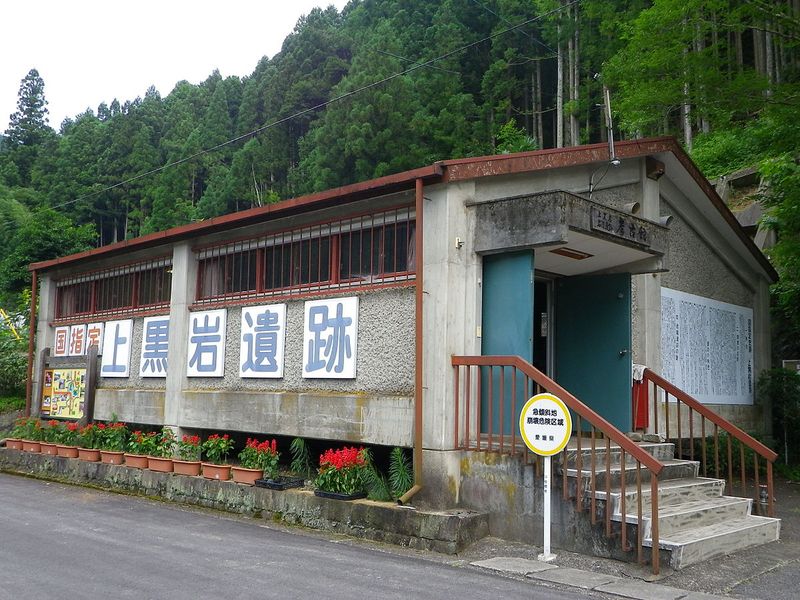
x,y
440,531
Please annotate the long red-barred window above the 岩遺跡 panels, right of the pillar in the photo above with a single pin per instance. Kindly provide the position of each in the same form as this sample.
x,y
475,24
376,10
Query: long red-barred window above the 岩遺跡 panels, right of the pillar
x,y
377,248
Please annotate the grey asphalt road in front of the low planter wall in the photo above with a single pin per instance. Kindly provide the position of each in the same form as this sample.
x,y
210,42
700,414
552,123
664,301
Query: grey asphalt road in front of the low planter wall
x,y
59,541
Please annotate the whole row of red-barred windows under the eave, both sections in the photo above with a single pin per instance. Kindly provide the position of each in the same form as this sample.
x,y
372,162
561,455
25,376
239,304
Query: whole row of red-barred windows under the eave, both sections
x,y
374,249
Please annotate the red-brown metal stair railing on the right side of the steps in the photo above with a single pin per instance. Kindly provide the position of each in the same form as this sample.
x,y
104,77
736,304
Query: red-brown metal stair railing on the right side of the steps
x,y
697,418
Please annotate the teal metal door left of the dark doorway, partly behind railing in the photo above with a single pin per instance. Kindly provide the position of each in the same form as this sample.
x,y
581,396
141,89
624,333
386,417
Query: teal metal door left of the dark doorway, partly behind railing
x,y
507,329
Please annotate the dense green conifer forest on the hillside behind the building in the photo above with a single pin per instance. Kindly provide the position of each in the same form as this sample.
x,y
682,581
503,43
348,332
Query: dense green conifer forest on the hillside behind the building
x,y
389,85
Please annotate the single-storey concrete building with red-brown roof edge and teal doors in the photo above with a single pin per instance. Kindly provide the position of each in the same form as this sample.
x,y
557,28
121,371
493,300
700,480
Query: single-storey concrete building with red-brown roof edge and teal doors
x,y
312,317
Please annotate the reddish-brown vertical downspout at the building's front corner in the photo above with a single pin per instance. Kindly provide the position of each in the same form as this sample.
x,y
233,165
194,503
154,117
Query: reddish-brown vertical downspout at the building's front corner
x,y
418,350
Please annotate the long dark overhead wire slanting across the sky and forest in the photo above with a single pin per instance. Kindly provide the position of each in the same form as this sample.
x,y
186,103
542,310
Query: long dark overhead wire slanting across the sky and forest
x,y
316,107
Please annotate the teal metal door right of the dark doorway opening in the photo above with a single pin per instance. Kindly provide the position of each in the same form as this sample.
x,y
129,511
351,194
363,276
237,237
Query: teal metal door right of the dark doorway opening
x,y
593,340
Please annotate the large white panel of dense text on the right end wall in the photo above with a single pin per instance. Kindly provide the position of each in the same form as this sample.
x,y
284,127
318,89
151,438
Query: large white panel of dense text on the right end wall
x,y
707,347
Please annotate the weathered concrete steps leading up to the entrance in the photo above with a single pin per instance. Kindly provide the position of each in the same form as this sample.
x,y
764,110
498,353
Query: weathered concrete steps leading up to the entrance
x,y
696,521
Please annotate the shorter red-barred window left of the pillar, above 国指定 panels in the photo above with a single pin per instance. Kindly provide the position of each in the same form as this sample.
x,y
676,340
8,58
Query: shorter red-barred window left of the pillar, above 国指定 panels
x,y
115,291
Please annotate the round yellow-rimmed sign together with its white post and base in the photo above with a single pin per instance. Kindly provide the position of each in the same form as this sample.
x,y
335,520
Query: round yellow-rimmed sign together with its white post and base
x,y
545,425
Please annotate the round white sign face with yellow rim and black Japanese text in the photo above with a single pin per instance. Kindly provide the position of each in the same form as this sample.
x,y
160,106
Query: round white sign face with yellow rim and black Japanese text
x,y
545,424
